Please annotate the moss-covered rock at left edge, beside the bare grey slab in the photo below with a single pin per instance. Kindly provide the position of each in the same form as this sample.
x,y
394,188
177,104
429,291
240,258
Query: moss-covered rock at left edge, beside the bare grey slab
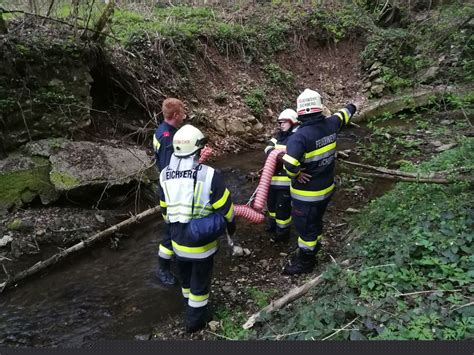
x,y
23,179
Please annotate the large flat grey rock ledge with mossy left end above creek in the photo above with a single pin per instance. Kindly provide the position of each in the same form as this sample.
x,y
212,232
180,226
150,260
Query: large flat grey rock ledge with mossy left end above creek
x,y
52,168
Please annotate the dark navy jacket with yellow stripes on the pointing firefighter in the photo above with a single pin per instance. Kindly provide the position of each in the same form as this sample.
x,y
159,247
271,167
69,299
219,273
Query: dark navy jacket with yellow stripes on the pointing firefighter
x,y
313,149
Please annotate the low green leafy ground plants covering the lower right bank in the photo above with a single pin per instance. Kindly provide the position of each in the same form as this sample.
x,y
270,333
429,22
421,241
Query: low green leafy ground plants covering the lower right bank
x,y
411,274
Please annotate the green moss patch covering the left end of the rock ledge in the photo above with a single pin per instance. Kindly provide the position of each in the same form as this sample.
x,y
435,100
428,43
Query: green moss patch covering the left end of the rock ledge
x,y
22,186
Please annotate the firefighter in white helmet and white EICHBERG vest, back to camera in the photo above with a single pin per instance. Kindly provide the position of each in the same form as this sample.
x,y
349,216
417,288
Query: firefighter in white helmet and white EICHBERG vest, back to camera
x,y
191,194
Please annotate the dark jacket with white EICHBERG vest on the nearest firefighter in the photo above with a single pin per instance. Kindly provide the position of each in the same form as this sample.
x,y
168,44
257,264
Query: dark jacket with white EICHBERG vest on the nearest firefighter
x,y
182,182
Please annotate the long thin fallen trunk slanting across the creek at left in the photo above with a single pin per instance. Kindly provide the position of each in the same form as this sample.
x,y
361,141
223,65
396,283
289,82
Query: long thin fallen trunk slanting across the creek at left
x,y
56,258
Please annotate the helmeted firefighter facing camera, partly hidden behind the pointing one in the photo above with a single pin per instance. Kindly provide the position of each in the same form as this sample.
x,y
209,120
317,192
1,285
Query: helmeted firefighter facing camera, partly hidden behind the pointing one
x,y
279,199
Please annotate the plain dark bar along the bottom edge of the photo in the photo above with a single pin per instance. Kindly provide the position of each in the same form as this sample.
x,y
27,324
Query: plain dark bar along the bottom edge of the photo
x,y
260,348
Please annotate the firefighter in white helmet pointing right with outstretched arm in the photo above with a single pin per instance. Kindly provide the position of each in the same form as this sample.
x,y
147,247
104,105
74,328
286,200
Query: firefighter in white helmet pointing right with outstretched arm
x,y
309,161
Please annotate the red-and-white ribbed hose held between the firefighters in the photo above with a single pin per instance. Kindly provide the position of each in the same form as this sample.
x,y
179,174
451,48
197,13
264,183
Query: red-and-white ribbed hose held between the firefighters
x,y
254,213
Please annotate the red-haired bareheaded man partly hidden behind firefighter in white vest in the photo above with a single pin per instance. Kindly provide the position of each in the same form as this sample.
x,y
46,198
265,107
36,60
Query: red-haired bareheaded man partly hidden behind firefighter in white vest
x,y
174,114
